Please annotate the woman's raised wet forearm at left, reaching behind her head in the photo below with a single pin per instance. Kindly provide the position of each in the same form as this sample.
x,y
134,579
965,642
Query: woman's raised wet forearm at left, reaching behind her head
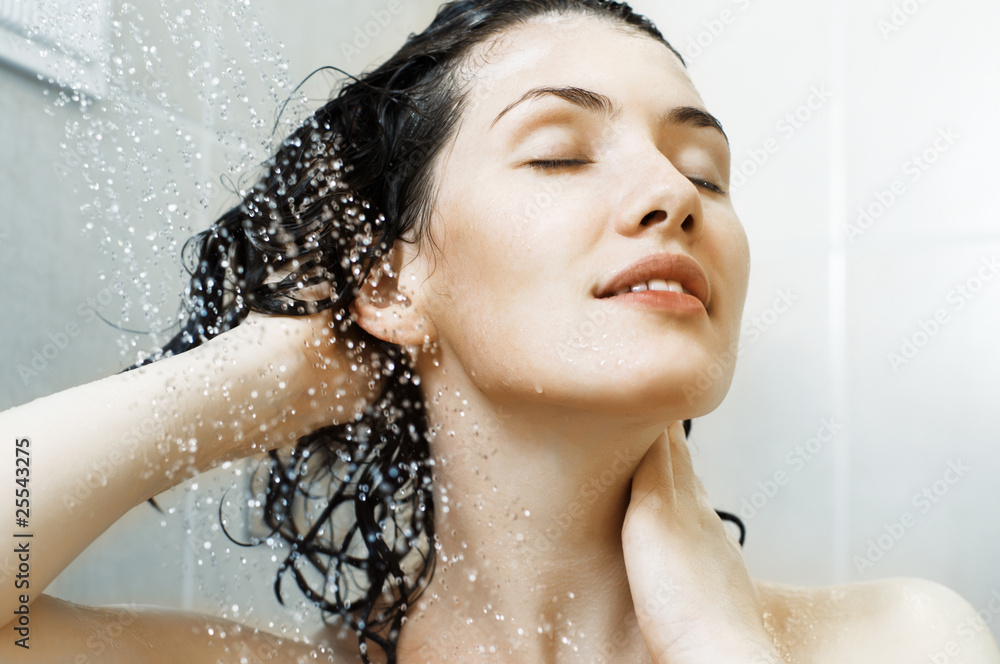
x,y
97,450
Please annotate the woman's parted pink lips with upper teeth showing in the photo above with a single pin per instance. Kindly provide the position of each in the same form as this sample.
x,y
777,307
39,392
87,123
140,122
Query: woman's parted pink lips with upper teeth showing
x,y
659,272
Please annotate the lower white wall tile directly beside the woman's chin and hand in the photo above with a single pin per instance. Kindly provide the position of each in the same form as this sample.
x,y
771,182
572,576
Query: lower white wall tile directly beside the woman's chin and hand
x,y
758,442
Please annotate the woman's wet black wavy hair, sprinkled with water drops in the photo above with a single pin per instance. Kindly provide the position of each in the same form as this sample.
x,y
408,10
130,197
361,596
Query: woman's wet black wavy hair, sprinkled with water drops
x,y
353,501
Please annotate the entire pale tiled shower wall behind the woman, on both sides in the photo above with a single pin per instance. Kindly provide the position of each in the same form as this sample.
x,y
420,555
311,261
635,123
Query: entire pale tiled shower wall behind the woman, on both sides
x,y
860,437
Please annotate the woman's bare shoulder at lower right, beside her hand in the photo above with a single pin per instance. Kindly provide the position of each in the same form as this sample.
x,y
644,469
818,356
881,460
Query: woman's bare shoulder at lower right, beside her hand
x,y
891,620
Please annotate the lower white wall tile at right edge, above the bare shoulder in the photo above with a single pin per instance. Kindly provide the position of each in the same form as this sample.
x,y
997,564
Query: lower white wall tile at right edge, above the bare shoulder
x,y
929,408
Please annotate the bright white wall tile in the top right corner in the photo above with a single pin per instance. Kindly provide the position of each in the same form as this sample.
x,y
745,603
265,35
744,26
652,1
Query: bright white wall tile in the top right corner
x,y
908,86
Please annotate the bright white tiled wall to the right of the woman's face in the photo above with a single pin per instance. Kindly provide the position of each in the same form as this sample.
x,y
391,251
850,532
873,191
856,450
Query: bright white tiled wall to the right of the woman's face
x,y
859,439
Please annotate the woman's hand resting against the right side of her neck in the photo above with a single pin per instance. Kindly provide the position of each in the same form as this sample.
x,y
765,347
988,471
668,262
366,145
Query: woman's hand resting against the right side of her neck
x,y
693,596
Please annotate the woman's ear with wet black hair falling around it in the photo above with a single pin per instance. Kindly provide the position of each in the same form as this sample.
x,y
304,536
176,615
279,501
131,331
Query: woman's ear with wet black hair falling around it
x,y
389,305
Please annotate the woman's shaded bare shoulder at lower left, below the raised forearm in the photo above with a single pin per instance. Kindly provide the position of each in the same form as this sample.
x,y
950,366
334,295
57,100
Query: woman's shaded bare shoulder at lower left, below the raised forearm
x,y
63,632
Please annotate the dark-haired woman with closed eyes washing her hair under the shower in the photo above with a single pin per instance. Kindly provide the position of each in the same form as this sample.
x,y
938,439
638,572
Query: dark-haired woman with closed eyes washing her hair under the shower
x,y
509,253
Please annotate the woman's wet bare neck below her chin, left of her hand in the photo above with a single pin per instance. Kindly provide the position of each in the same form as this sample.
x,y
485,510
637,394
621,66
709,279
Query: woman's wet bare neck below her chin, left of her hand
x,y
529,511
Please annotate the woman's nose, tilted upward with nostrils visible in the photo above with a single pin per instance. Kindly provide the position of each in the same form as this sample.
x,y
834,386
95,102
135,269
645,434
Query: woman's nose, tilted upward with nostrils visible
x,y
660,199
